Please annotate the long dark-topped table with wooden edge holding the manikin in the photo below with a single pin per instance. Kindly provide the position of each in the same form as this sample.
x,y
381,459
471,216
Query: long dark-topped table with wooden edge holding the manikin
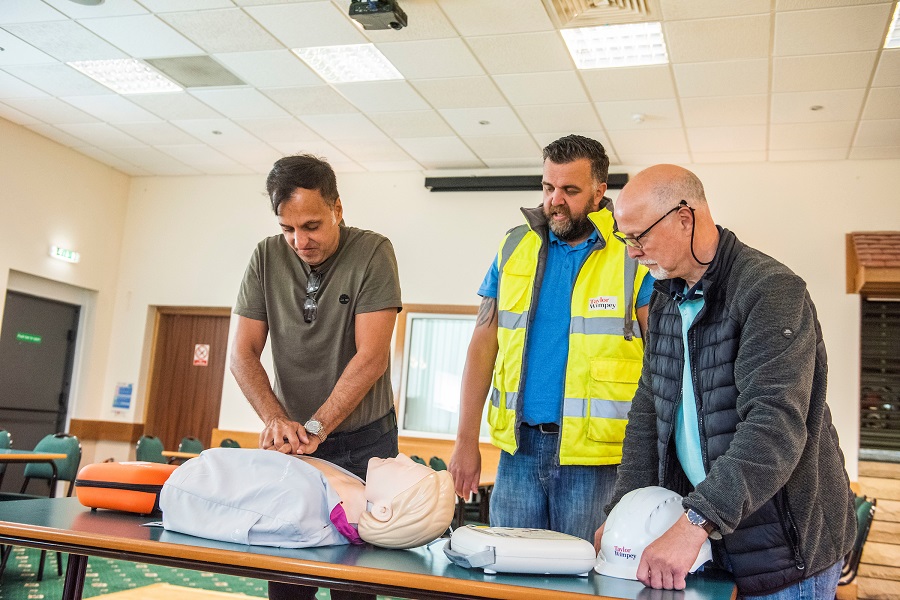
x,y
62,524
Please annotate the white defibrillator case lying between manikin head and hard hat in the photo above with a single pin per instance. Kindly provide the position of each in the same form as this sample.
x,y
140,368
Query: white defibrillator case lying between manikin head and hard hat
x,y
520,550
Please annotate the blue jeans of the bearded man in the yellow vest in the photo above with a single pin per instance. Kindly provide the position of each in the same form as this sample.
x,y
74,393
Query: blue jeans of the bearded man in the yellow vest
x,y
533,490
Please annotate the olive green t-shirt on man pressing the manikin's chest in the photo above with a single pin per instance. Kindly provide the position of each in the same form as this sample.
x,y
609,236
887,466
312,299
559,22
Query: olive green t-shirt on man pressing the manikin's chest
x,y
309,358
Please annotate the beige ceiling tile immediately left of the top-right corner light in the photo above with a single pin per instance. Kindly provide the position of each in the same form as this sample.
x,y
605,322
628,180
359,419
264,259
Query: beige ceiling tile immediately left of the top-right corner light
x,y
831,30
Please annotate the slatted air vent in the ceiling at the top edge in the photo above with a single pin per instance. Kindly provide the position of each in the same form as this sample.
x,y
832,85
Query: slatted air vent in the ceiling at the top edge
x,y
591,13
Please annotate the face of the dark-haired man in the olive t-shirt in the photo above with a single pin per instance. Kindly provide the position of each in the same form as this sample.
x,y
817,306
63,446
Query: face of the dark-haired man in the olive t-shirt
x,y
310,227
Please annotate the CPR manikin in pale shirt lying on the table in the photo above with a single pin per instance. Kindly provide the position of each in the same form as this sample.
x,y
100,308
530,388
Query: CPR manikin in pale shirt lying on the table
x,y
261,497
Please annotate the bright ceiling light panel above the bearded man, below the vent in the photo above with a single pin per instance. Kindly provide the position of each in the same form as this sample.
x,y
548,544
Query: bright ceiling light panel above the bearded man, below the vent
x,y
607,46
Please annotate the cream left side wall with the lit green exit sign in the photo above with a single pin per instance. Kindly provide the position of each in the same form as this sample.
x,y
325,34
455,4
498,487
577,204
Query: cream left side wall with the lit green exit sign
x,y
52,195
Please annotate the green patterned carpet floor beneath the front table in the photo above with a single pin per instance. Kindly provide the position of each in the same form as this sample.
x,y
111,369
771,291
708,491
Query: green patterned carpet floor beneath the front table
x,y
107,576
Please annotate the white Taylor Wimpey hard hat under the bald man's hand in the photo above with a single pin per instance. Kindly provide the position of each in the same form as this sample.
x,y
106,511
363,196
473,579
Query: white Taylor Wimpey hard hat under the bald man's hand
x,y
641,516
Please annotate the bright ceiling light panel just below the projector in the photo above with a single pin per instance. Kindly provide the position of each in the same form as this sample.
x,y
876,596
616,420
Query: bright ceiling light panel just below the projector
x,y
356,62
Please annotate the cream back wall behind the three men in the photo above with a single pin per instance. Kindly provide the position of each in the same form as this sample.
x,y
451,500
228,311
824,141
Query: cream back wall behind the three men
x,y
187,241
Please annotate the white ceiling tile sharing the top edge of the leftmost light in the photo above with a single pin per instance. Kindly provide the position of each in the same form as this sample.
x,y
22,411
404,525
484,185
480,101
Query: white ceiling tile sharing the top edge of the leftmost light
x,y
65,40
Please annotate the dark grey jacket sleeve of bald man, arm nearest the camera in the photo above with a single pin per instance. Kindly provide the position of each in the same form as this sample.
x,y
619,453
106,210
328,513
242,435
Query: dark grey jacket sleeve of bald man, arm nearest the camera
x,y
774,376
